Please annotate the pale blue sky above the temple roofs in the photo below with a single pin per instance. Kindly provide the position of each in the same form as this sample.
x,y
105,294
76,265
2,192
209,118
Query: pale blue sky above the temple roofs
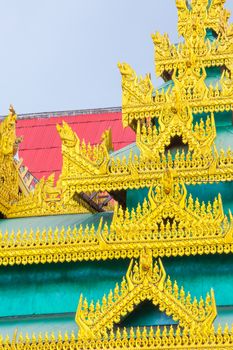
x,y
63,54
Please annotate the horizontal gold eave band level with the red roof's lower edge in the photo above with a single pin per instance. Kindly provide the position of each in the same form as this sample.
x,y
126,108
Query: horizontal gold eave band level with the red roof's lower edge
x,y
139,172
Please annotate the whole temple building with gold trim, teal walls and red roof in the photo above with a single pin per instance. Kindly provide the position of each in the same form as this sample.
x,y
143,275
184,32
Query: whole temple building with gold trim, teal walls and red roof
x,y
116,225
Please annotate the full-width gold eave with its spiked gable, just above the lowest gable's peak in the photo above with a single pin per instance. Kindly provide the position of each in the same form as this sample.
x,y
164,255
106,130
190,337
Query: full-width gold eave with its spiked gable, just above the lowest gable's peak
x,y
169,223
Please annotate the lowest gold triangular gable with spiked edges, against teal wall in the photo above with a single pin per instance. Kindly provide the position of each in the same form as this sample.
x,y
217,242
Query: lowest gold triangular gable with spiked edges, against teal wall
x,y
144,281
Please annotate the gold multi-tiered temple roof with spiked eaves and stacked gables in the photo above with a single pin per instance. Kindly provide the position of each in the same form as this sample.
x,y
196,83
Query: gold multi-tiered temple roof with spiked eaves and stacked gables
x,y
176,128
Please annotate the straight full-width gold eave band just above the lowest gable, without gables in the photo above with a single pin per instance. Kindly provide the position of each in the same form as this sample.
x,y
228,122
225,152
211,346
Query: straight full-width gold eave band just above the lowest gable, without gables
x,y
85,244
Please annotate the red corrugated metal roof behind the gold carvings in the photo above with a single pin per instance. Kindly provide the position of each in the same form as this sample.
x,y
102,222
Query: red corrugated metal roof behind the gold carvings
x,y
41,146
